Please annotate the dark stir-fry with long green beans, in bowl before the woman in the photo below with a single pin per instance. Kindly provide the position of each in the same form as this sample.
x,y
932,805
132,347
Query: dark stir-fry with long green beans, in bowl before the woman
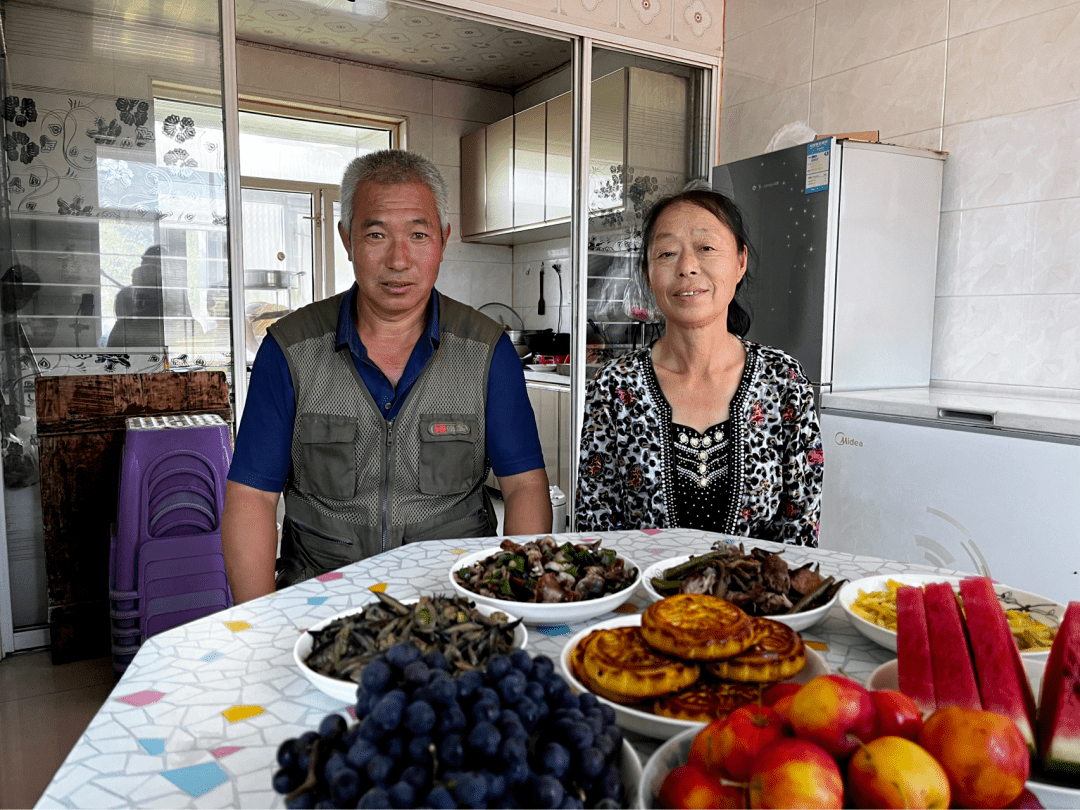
x,y
761,583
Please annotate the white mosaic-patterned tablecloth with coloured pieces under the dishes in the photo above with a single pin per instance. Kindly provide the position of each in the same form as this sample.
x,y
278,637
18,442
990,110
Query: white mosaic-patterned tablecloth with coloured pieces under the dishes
x,y
197,719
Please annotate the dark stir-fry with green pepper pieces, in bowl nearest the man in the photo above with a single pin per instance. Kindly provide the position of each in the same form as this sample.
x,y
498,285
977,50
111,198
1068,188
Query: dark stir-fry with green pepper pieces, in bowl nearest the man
x,y
545,572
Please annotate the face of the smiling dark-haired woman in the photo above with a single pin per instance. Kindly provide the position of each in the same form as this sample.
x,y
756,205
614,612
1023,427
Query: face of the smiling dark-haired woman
x,y
695,266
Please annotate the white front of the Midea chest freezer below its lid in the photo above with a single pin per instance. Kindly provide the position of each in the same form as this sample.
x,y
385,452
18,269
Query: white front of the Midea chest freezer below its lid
x,y
956,491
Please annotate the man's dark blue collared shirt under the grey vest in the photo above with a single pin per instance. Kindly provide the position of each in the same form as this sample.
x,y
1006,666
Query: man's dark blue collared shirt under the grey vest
x,y
263,455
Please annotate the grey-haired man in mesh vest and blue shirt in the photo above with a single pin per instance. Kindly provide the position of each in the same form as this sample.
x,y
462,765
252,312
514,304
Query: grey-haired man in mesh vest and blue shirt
x,y
379,411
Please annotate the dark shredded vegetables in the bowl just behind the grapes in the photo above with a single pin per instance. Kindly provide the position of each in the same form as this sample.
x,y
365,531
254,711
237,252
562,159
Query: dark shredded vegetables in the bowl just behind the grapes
x,y
451,626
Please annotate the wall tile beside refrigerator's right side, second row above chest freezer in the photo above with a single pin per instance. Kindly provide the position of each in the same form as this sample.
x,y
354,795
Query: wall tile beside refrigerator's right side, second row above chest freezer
x,y
987,251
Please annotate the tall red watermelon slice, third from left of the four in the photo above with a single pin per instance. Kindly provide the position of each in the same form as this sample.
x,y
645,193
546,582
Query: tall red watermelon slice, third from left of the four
x,y
1003,682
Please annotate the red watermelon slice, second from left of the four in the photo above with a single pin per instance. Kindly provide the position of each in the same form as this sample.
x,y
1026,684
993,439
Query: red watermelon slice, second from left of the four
x,y
954,676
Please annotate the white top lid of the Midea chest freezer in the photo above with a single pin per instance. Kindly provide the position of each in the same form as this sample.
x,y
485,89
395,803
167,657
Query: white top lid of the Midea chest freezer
x,y
950,408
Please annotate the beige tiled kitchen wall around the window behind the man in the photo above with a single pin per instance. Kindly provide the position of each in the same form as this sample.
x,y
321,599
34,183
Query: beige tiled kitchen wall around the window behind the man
x,y
439,114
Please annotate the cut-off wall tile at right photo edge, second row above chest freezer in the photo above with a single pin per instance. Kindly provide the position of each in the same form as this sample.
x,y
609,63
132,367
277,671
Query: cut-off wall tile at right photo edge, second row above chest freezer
x,y
1056,256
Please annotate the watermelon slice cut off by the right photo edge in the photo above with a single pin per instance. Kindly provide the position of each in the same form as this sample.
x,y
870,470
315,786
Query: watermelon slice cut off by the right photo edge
x,y
1060,703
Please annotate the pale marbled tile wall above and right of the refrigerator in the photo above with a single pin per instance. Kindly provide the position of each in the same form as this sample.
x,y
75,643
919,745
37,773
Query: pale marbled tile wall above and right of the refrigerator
x,y
992,84
